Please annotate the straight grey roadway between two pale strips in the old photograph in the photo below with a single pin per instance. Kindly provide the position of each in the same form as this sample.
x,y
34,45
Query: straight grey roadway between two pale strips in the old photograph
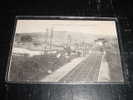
x,y
86,71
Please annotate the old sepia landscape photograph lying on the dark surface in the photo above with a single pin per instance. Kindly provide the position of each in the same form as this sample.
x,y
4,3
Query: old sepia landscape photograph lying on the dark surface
x,y
65,51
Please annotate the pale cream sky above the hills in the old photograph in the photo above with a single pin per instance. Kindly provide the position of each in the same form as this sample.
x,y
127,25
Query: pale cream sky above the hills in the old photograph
x,y
104,28
